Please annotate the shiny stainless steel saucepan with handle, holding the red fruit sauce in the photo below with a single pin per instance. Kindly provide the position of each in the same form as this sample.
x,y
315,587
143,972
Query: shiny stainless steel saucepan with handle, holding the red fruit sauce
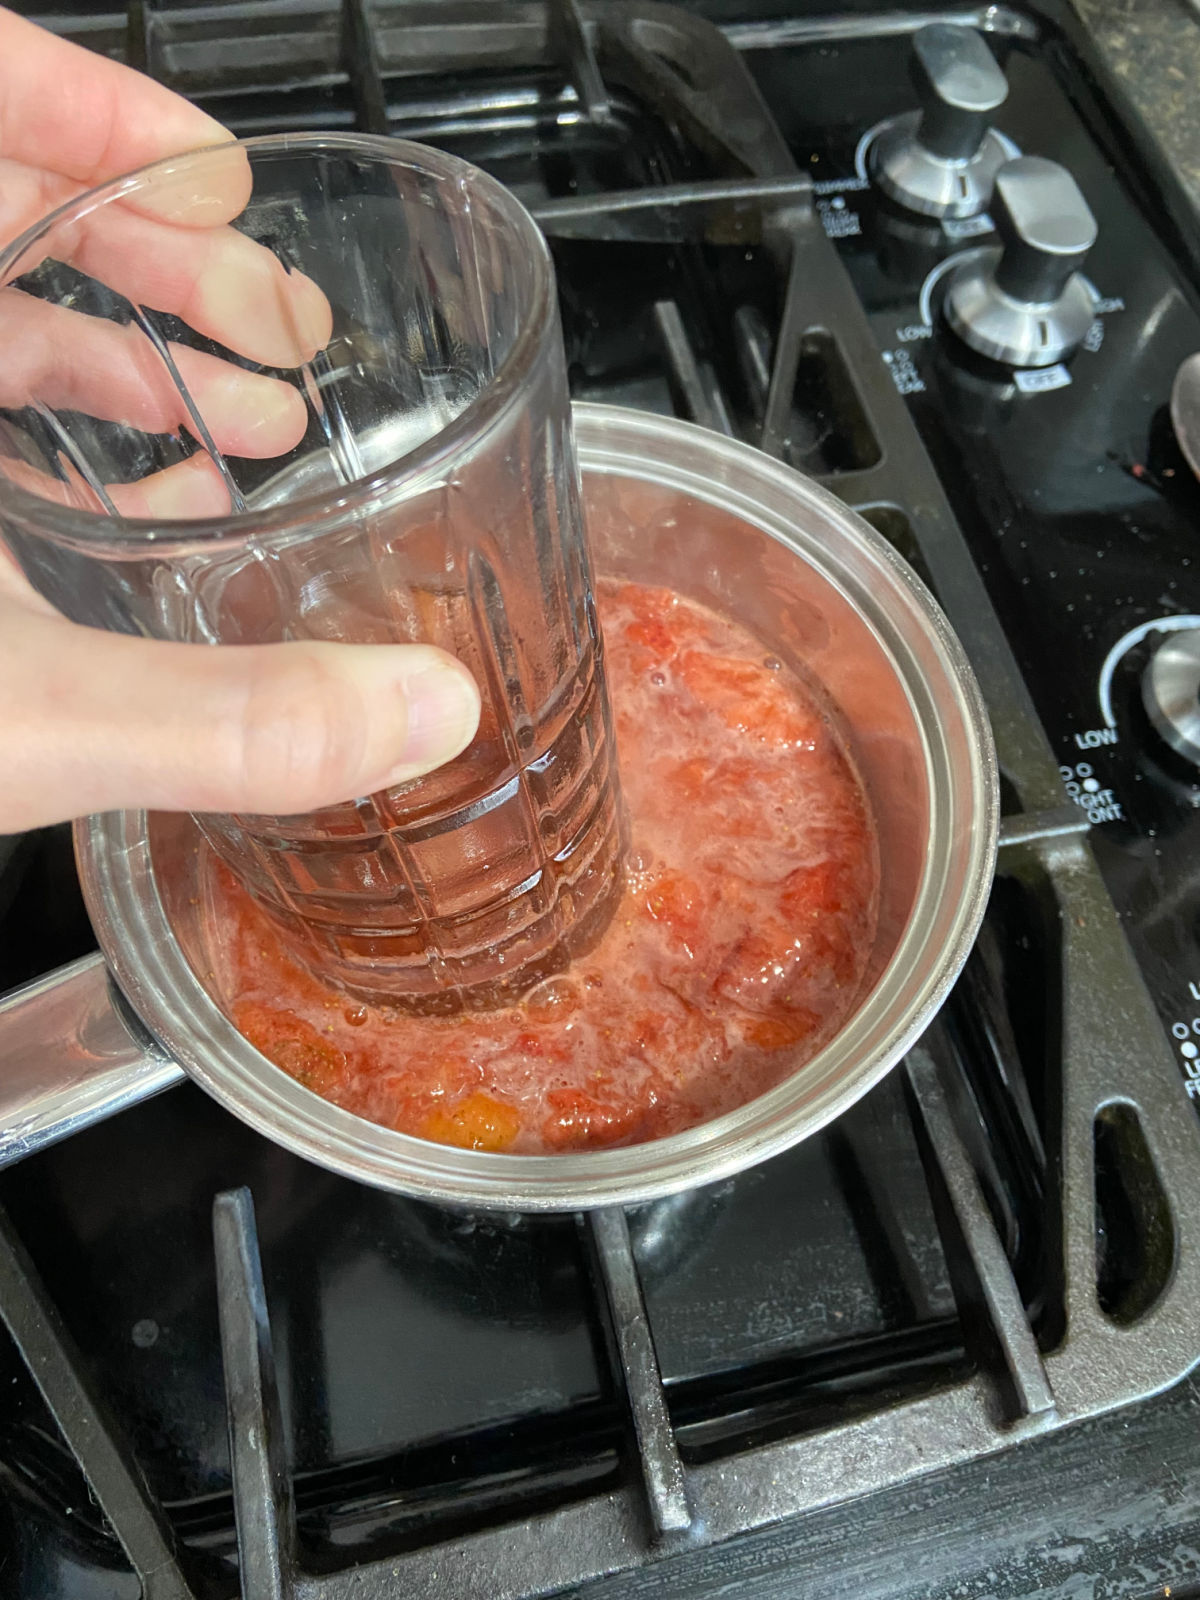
x,y
670,505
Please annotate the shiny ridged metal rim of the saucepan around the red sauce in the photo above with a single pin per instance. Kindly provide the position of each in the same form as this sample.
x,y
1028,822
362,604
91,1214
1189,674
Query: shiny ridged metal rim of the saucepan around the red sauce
x,y
150,964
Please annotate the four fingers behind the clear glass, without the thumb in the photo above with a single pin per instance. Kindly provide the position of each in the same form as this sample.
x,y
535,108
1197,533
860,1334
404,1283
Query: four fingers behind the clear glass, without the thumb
x,y
71,121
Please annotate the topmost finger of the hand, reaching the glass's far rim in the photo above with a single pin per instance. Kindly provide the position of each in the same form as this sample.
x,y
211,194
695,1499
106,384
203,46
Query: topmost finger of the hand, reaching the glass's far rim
x,y
79,114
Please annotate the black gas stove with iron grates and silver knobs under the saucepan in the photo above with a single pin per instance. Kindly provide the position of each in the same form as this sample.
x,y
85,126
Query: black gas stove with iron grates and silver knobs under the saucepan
x,y
942,273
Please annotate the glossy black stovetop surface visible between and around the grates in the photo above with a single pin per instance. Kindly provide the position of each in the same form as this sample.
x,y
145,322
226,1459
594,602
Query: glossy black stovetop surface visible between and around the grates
x,y
442,1374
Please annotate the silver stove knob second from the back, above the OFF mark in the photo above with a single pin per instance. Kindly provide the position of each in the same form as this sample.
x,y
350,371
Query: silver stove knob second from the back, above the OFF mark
x,y
1028,305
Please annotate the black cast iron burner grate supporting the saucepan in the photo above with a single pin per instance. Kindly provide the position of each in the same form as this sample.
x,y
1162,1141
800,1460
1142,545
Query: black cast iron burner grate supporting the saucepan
x,y
1063,1172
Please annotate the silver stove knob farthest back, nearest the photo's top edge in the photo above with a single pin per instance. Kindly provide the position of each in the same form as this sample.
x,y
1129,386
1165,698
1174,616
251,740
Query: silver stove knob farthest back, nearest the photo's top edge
x,y
943,159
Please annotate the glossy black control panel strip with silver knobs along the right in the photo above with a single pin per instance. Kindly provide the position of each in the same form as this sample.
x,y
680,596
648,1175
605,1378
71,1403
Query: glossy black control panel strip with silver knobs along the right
x,y
1047,346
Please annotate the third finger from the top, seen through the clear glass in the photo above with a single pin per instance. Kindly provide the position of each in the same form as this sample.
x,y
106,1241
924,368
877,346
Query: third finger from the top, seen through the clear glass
x,y
84,364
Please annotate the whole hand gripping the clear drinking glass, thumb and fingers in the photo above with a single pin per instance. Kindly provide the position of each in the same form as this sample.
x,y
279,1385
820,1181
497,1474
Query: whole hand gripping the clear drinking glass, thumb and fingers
x,y
94,721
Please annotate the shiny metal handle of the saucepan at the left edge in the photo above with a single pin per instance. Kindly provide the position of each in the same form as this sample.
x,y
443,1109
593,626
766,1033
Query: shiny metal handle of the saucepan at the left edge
x,y
71,1055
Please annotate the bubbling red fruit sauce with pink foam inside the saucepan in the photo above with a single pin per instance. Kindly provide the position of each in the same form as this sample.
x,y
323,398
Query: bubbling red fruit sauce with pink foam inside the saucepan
x,y
734,956
